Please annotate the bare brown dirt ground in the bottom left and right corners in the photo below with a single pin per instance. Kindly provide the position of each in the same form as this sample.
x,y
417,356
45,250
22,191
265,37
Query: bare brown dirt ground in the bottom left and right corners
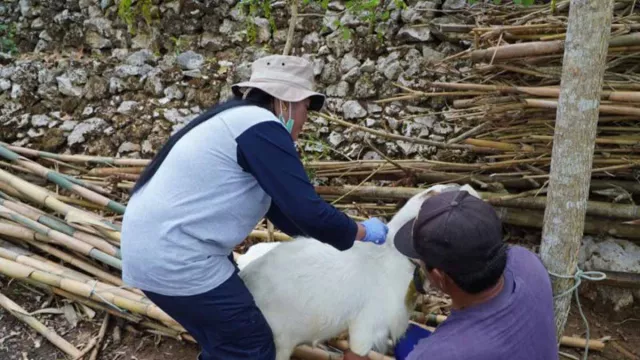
x,y
18,342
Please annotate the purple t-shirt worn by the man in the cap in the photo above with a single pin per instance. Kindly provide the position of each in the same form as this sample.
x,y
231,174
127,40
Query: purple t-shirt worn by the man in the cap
x,y
516,324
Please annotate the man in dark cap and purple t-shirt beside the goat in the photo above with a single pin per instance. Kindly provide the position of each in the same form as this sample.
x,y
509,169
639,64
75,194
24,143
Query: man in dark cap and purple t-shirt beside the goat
x,y
502,302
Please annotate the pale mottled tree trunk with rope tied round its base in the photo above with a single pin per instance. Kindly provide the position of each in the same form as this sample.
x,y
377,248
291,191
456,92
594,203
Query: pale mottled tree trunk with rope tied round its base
x,y
574,140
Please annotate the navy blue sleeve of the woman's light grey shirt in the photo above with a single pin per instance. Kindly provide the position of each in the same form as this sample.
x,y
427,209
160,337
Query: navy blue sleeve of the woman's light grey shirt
x,y
266,151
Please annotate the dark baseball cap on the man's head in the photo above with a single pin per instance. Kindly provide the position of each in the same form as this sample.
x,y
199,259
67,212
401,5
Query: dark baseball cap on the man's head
x,y
455,232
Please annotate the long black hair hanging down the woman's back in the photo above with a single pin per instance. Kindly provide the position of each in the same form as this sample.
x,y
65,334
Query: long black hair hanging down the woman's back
x,y
255,97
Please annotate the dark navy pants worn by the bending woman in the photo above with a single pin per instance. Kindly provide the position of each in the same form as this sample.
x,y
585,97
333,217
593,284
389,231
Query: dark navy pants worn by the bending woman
x,y
225,321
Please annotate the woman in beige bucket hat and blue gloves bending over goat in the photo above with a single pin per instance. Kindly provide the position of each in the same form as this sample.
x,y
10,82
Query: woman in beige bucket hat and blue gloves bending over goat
x,y
206,190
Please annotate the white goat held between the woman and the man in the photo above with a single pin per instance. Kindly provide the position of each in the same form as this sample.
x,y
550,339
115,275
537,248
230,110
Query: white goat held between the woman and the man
x,y
311,292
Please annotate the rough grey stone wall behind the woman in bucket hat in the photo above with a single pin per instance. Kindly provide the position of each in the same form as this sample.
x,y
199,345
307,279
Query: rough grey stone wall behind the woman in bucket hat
x,y
85,81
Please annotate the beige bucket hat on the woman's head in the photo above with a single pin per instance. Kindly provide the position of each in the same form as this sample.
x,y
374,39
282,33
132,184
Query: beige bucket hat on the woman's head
x,y
287,78
